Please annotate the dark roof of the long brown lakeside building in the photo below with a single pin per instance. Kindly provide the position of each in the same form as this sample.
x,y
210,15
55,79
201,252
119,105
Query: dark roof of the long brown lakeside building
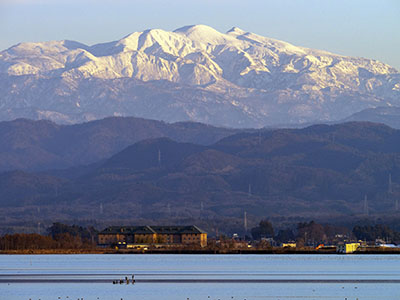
x,y
152,229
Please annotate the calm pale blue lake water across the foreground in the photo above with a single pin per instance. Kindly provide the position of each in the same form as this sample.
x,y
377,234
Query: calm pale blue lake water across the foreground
x,y
199,277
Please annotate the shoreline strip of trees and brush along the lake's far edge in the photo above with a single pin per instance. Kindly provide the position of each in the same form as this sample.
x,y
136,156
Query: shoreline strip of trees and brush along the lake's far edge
x,y
311,238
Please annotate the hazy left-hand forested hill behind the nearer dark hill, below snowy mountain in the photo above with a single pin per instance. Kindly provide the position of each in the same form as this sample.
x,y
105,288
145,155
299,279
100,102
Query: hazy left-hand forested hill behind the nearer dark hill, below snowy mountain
x,y
40,145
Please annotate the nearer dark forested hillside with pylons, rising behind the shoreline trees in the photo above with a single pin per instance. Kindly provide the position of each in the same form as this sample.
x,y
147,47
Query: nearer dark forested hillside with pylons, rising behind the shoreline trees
x,y
323,171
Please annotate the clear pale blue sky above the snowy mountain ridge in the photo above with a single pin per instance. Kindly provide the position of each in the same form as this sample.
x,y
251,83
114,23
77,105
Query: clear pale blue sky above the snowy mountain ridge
x,y
350,27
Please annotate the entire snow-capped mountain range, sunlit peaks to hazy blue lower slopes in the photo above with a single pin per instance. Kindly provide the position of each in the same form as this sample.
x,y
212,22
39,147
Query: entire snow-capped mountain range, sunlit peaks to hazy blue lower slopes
x,y
237,79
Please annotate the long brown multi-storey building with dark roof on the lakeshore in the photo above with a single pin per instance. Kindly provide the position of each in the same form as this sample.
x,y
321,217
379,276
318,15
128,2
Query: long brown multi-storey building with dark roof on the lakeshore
x,y
165,235
